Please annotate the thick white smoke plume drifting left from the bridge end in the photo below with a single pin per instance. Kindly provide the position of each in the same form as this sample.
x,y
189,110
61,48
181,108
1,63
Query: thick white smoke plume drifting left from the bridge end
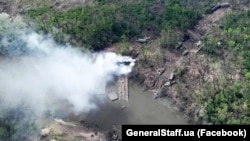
x,y
36,70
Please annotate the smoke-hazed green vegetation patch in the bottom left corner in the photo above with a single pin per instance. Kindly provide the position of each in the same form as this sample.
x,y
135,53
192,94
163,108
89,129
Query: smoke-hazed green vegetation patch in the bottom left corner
x,y
17,123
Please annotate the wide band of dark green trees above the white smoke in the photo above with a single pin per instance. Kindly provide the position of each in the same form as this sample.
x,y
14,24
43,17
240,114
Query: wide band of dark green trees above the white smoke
x,y
105,23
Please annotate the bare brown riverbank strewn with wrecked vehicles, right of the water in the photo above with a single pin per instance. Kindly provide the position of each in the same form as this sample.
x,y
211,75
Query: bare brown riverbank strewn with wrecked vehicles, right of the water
x,y
191,67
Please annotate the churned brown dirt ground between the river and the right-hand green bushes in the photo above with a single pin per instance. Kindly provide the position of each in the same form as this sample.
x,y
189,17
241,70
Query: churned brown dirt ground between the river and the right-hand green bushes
x,y
194,65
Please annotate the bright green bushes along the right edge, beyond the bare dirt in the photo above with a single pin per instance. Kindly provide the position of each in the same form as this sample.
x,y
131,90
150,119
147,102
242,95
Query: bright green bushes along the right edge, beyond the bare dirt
x,y
229,102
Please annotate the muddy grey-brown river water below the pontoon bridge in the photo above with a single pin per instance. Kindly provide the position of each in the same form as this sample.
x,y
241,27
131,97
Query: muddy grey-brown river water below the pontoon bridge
x,y
141,108
